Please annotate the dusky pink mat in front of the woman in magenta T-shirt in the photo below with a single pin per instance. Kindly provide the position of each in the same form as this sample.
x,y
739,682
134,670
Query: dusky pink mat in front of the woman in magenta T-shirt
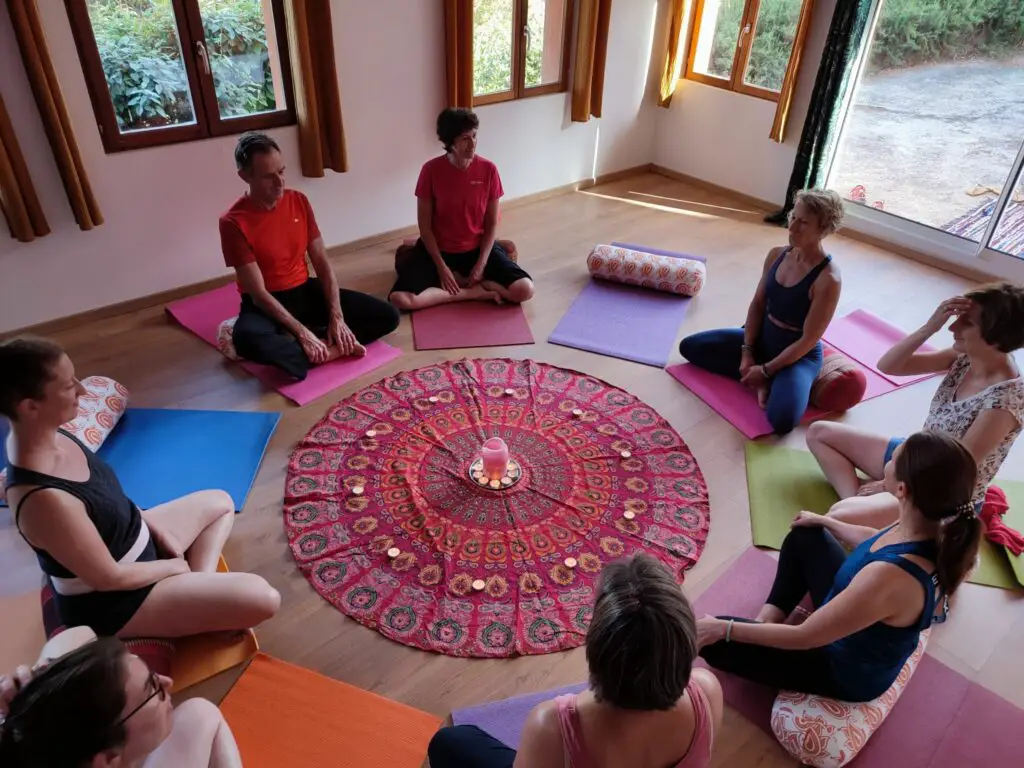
x,y
471,324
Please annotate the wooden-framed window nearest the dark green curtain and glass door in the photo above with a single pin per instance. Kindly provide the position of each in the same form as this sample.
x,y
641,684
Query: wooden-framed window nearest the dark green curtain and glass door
x,y
749,47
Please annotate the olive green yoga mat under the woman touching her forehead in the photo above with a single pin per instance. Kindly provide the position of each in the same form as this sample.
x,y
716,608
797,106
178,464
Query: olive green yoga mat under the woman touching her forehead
x,y
783,482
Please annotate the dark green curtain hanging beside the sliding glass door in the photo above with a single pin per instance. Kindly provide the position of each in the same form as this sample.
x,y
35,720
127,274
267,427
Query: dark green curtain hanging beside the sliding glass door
x,y
847,38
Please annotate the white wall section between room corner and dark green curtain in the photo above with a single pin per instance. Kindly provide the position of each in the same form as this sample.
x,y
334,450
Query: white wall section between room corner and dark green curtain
x,y
722,138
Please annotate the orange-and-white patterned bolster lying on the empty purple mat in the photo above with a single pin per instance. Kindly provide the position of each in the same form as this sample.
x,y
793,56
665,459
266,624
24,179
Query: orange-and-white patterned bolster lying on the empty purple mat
x,y
669,274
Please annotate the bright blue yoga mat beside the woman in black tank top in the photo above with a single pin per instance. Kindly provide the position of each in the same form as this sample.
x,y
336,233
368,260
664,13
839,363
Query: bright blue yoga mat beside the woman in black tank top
x,y
160,455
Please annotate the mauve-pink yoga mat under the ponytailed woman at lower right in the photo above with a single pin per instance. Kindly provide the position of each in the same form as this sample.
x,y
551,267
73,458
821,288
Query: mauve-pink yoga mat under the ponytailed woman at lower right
x,y
942,721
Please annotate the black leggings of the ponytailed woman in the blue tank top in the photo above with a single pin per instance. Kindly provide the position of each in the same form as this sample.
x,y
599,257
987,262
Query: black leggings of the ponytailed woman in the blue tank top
x,y
808,564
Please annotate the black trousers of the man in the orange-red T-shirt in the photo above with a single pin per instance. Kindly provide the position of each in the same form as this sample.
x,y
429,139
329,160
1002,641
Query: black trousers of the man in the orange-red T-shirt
x,y
260,338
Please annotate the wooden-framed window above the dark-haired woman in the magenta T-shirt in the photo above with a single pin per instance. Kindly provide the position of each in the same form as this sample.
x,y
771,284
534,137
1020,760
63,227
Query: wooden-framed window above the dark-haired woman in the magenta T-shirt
x,y
521,49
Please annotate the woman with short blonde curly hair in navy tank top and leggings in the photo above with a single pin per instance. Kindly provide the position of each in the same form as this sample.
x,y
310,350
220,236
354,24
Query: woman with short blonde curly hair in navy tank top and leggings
x,y
779,352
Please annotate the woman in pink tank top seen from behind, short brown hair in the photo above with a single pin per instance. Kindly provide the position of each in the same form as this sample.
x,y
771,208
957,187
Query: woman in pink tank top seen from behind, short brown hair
x,y
647,707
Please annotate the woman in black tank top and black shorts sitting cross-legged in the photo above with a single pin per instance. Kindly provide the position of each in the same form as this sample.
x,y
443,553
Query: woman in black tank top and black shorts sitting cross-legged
x,y
112,567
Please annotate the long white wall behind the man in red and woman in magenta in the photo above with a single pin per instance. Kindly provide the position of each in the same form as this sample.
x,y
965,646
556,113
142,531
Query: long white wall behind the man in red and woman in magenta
x,y
161,205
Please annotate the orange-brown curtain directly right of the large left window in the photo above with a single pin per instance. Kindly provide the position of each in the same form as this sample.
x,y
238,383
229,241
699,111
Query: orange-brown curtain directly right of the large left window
x,y
318,103
